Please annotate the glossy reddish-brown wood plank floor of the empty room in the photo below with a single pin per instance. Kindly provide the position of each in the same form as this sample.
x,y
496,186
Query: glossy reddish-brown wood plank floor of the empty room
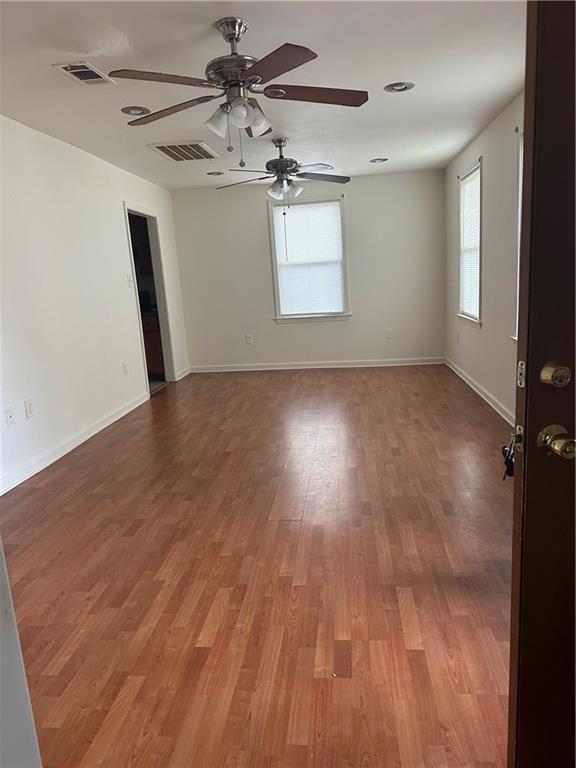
x,y
272,569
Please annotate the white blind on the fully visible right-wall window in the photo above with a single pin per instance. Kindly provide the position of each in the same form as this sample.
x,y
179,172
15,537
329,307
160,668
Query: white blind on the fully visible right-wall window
x,y
470,237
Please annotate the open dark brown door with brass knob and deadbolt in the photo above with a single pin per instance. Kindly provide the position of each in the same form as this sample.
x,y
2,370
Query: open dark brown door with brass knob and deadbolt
x,y
542,657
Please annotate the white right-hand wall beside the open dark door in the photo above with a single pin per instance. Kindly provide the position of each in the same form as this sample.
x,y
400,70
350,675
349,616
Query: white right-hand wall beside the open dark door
x,y
486,355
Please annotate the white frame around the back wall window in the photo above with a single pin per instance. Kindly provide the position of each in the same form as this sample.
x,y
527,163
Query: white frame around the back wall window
x,y
317,316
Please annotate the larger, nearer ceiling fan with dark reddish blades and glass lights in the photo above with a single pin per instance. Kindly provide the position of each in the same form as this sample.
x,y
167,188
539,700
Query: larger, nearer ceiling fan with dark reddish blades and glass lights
x,y
235,75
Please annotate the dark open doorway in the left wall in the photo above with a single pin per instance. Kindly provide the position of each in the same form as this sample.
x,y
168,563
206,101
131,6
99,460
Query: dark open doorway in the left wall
x,y
147,300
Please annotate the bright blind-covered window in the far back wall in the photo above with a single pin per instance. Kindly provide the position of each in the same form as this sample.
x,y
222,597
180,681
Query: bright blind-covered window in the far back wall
x,y
308,259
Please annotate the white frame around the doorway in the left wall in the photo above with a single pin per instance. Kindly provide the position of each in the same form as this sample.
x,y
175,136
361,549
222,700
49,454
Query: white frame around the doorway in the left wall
x,y
159,286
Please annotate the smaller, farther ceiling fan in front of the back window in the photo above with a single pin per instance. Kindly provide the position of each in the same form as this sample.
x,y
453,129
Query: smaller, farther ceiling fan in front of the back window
x,y
283,168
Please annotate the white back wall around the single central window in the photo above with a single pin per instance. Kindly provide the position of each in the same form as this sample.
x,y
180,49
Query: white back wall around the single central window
x,y
396,263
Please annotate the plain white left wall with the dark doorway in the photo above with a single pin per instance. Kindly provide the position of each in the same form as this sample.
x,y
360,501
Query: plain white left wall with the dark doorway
x,y
69,316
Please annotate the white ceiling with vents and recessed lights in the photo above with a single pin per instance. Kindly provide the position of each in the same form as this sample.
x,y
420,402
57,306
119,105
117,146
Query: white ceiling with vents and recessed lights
x,y
466,58
